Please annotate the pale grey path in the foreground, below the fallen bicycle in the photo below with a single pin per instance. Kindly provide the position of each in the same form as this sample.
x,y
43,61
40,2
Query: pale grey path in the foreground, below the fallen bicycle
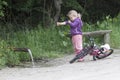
x,y
105,69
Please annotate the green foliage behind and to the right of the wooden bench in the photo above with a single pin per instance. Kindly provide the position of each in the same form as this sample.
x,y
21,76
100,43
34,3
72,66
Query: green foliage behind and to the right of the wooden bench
x,y
107,24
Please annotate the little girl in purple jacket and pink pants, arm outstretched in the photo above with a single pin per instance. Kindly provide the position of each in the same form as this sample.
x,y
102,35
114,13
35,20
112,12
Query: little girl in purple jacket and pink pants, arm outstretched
x,y
76,24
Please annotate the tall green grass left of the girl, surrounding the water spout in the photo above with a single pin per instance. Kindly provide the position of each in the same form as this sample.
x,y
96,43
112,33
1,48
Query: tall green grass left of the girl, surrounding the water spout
x,y
44,43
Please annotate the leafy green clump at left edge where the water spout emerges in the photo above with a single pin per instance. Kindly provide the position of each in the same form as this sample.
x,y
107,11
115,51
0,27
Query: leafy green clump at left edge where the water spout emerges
x,y
7,56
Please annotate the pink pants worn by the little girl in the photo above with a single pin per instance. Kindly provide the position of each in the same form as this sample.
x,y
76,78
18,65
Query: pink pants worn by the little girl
x,y
77,43
